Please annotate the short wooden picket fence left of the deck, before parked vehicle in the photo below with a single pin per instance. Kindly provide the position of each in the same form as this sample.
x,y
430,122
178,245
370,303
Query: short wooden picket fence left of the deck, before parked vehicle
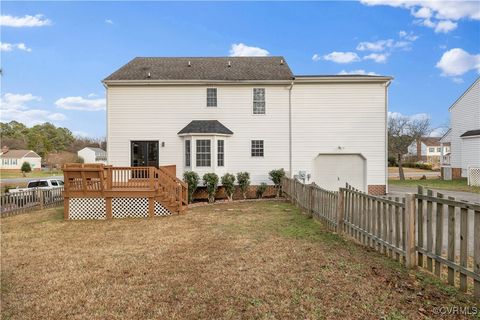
x,y
29,200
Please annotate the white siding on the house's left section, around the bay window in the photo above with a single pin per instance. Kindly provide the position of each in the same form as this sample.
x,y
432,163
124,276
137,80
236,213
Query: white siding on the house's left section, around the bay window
x,y
160,112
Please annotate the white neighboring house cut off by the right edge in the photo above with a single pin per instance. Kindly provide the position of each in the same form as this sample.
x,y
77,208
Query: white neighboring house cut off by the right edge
x,y
464,134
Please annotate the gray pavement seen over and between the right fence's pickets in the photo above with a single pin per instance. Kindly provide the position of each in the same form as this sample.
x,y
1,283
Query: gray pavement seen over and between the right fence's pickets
x,y
399,191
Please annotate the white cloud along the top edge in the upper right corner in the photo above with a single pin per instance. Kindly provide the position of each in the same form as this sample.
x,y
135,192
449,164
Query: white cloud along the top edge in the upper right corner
x,y
438,15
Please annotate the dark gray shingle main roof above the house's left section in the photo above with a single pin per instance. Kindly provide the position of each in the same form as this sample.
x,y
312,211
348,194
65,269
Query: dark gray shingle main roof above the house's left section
x,y
208,68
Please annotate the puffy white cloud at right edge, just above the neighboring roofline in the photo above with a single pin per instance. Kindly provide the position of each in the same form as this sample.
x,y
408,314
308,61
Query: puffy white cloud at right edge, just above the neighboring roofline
x,y
456,62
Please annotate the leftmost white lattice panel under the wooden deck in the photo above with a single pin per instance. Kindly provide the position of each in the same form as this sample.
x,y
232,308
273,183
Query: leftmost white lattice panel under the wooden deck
x,y
86,208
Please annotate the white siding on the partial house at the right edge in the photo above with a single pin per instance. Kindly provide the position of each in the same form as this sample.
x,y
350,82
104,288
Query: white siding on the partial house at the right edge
x,y
465,116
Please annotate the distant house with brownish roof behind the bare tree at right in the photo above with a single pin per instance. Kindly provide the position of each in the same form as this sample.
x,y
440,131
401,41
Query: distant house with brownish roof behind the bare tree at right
x,y
428,149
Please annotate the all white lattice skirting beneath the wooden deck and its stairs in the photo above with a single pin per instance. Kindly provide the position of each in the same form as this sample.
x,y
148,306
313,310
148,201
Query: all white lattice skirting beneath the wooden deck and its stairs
x,y
95,208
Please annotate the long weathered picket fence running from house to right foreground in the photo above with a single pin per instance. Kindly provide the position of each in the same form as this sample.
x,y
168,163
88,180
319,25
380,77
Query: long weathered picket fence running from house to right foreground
x,y
425,229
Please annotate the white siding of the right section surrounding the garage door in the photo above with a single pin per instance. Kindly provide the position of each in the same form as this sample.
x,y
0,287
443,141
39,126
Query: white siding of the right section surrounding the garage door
x,y
340,118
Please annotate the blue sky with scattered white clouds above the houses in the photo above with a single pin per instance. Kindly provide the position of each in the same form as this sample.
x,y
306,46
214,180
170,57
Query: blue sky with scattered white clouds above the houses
x,y
55,54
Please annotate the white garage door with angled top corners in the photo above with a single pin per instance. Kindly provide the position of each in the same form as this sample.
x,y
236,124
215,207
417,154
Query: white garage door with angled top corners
x,y
332,171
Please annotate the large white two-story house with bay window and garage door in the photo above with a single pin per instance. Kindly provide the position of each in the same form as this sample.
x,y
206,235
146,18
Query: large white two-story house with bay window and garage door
x,y
232,114
